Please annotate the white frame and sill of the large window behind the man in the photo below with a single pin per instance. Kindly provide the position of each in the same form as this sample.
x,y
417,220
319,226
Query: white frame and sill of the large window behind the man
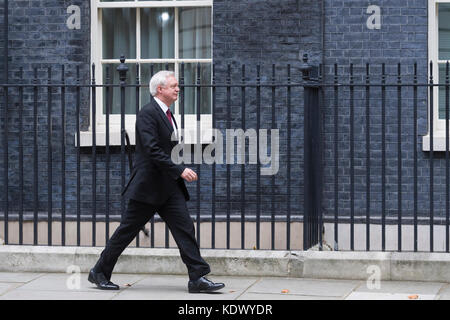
x,y
96,58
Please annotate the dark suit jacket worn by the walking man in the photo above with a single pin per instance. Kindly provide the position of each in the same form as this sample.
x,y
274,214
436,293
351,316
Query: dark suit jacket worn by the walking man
x,y
155,176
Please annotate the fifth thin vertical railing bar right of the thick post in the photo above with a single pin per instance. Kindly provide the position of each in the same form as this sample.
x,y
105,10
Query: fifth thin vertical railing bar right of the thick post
x,y
399,157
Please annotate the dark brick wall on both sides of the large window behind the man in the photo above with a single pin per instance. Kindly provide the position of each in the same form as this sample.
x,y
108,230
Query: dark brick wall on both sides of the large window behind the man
x,y
245,32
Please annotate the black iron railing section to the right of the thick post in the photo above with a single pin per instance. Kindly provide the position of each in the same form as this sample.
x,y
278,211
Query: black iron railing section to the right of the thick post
x,y
382,116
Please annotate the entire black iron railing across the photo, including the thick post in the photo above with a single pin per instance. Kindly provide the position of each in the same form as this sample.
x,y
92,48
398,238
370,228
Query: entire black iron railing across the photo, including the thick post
x,y
351,155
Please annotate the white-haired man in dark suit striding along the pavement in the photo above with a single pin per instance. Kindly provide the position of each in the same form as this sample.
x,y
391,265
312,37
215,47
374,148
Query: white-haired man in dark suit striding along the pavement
x,y
157,185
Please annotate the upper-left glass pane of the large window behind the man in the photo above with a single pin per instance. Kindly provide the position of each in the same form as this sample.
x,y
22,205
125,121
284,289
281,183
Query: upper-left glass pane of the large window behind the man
x,y
119,33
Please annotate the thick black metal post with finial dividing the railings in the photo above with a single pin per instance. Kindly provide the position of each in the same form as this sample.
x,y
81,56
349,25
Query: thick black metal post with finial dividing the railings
x,y
312,156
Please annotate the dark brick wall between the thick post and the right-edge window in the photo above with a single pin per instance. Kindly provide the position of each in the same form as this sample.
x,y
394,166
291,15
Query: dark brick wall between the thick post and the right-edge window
x,y
401,39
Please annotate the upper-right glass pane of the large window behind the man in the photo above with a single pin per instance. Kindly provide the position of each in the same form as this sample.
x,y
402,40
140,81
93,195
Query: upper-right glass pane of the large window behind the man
x,y
195,33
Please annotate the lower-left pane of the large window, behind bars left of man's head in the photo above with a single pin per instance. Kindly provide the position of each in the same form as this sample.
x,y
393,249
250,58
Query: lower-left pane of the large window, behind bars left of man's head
x,y
114,92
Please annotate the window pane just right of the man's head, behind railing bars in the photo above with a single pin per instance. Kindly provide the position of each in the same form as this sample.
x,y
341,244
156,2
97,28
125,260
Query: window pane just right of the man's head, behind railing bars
x,y
190,93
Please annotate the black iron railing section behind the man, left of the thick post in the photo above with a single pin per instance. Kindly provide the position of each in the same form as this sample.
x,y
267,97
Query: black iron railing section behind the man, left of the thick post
x,y
82,184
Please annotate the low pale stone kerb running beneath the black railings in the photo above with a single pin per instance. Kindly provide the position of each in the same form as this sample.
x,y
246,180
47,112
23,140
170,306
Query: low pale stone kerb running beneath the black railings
x,y
355,265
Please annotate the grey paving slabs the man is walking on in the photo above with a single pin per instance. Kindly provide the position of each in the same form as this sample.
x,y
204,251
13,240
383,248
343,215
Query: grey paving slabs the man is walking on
x,y
74,286
